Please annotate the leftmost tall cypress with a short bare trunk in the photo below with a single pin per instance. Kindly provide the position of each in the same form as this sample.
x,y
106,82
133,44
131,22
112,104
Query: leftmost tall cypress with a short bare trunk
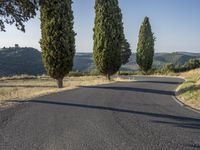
x,y
58,38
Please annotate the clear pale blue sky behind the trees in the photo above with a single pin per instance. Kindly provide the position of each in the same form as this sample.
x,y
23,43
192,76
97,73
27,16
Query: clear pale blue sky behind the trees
x,y
175,23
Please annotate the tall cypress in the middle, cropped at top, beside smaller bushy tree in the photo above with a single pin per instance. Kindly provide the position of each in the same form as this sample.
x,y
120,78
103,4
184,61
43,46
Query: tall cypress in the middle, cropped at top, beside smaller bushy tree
x,y
108,37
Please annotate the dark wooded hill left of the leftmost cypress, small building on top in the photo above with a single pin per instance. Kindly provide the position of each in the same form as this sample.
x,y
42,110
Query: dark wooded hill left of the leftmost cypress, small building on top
x,y
17,61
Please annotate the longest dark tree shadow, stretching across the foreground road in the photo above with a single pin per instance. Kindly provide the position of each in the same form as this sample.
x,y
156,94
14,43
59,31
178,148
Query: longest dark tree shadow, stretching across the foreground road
x,y
174,120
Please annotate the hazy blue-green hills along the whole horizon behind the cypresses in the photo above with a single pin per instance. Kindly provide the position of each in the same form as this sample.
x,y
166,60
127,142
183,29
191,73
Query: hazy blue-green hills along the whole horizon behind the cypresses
x,y
17,61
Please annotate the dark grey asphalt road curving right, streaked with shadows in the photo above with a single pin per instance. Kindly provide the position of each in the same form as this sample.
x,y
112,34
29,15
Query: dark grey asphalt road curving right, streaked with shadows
x,y
121,116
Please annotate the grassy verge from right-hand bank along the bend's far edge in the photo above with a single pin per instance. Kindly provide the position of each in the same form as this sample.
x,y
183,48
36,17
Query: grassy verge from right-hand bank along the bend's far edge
x,y
188,92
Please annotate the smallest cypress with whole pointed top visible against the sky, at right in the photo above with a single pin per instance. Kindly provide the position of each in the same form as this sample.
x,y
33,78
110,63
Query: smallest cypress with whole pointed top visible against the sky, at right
x,y
145,47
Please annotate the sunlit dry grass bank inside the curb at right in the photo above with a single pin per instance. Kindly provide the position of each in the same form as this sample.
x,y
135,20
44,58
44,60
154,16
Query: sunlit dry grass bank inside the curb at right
x,y
189,92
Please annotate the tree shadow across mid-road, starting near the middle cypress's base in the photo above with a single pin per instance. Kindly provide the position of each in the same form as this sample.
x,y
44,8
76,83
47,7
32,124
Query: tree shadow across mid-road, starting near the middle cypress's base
x,y
132,89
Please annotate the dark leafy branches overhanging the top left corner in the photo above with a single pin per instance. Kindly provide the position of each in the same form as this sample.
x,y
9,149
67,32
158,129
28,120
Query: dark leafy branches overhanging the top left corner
x,y
17,11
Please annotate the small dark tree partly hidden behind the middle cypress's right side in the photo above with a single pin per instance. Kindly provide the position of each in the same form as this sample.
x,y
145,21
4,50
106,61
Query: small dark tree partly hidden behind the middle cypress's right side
x,y
126,52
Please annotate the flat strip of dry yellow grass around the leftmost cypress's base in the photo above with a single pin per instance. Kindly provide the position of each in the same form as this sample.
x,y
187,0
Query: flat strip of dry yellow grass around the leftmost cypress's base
x,y
21,88
